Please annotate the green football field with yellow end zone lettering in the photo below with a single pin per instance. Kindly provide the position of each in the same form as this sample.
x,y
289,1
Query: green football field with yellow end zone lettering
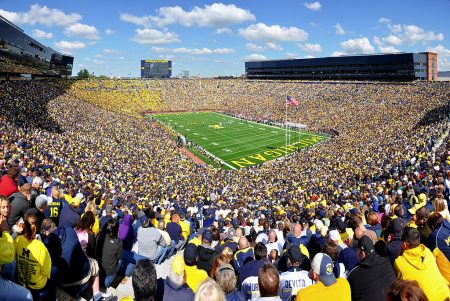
x,y
238,143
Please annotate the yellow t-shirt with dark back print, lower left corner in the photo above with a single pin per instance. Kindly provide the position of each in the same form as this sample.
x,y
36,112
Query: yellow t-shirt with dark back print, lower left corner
x,y
33,262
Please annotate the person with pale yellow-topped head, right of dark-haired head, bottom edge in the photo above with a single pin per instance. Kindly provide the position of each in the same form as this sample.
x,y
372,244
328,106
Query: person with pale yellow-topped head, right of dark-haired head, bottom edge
x,y
175,287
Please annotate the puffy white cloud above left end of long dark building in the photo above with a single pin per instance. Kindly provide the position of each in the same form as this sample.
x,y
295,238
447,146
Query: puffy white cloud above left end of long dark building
x,y
265,33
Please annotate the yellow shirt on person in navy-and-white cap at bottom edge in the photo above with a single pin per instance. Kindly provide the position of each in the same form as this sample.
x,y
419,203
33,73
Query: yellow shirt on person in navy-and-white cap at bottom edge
x,y
339,291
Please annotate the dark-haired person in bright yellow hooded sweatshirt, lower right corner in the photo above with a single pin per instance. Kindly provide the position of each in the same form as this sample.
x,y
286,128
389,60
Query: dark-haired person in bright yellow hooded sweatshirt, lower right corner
x,y
418,263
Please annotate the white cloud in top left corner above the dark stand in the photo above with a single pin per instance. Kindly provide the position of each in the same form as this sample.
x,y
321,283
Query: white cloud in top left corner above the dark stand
x,y
41,15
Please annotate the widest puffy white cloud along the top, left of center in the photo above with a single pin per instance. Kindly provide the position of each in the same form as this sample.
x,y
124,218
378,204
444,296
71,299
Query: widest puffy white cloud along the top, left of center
x,y
214,15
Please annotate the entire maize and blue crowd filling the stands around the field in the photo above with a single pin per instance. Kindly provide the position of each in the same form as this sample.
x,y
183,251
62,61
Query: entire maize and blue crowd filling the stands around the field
x,y
93,193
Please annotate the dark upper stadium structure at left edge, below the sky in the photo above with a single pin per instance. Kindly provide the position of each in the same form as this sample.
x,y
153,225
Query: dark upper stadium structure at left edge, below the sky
x,y
21,54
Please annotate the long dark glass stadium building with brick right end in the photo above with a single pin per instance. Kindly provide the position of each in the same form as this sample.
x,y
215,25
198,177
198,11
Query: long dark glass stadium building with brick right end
x,y
382,67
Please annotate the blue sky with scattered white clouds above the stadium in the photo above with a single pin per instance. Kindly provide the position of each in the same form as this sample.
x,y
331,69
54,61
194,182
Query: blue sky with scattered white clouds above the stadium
x,y
216,38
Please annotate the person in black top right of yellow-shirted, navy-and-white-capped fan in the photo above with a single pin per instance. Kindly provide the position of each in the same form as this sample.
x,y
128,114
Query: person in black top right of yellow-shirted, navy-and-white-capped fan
x,y
371,278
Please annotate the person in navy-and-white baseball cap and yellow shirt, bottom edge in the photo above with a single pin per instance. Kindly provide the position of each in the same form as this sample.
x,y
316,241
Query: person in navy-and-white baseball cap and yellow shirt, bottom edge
x,y
327,286
